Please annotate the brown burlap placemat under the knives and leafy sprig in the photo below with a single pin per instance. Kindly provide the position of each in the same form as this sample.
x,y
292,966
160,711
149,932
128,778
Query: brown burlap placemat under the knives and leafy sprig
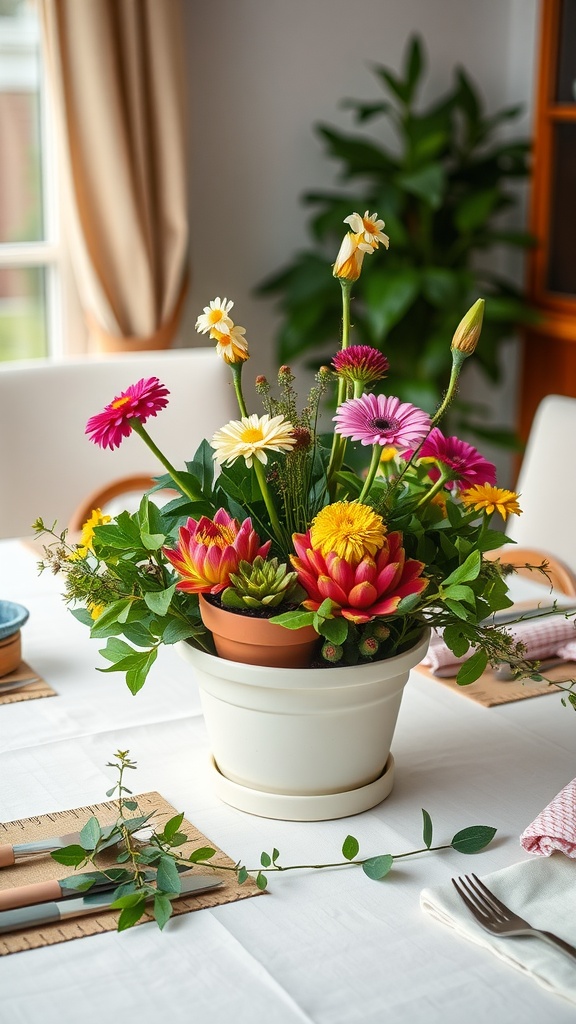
x,y
43,869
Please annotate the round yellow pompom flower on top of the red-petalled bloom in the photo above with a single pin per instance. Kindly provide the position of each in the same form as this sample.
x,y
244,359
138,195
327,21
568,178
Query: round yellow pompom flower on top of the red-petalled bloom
x,y
349,529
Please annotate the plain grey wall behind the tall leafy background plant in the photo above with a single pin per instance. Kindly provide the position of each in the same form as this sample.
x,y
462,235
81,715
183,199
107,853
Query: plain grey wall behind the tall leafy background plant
x,y
264,72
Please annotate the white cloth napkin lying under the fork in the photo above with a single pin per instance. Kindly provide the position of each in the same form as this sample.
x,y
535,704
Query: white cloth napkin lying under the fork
x,y
544,892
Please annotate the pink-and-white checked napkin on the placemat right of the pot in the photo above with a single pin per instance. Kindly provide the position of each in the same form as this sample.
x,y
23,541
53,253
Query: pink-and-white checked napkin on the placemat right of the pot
x,y
546,637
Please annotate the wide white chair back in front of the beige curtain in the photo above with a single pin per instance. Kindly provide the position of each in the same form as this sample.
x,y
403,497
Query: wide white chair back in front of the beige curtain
x,y
50,467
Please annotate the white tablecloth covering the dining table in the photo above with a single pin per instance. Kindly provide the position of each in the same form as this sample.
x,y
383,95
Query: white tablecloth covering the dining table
x,y
328,948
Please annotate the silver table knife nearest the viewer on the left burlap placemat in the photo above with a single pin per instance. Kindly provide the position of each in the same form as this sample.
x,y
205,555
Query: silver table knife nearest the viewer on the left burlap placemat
x,y
48,914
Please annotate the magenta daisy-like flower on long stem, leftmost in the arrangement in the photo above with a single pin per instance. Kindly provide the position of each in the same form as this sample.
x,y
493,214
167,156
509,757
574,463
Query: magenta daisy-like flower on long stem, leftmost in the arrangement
x,y
139,402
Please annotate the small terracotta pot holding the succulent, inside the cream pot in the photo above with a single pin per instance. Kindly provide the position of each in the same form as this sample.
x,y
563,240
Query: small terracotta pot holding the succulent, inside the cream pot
x,y
258,642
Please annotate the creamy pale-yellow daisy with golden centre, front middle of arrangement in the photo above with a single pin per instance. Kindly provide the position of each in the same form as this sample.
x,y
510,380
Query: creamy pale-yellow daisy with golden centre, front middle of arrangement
x,y
252,438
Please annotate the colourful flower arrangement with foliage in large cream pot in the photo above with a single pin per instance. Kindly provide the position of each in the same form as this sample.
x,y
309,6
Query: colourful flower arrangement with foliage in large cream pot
x,y
366,562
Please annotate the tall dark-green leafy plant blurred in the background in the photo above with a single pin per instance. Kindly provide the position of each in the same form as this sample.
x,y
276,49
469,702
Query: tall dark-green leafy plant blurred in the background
x,y
445,181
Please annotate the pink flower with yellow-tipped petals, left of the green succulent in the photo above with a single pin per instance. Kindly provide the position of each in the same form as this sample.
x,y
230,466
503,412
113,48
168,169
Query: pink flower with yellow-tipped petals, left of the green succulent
x,y
210,550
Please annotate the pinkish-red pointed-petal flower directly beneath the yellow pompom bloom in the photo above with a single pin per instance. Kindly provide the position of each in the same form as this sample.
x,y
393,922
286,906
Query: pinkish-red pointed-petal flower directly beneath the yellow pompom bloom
x,y
373,587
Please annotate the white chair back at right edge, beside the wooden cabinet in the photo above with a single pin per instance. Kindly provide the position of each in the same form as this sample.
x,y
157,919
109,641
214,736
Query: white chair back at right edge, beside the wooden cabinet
x,y
548,484
